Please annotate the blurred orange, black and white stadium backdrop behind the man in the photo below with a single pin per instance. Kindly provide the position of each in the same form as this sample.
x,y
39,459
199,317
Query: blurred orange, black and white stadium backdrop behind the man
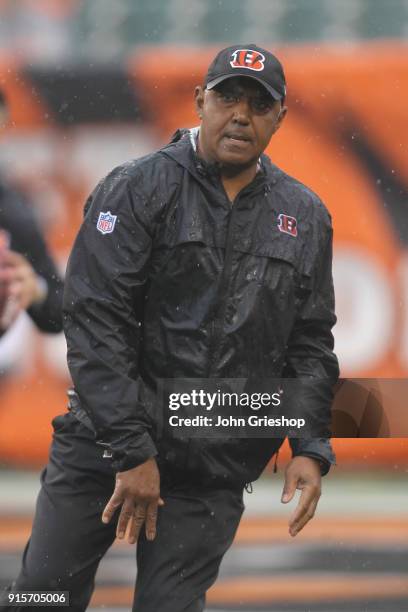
x,y
92,83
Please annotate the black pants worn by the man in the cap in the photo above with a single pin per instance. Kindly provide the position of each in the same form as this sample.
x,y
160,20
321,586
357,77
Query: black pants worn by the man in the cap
x,y
195,528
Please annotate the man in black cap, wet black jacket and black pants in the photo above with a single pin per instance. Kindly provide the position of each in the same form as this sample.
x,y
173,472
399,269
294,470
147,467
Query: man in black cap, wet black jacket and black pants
x,y
203,260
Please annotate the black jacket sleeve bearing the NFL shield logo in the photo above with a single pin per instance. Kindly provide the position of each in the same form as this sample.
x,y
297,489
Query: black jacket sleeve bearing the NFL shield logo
x,y
103,313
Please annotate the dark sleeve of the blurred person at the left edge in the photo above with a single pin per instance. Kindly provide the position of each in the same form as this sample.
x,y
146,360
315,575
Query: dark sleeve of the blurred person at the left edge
x,y
17,219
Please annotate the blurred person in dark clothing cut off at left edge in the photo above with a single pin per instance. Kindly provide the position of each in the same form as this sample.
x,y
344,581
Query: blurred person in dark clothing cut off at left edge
x,y
29,279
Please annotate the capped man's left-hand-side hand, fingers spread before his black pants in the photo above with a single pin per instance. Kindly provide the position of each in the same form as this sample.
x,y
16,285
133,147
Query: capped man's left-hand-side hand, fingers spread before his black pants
x,y
138,492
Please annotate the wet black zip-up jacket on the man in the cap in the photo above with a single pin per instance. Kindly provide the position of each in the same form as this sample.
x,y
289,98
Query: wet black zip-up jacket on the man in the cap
x,y
188,286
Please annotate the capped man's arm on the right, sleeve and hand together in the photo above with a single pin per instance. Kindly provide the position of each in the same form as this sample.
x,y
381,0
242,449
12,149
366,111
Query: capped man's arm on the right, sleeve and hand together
x,y
310,357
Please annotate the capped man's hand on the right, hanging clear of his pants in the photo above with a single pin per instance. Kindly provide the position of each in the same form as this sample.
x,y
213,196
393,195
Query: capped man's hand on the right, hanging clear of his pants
x,y
302,473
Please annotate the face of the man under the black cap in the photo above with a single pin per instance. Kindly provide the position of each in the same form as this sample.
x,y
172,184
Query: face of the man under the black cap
x,y
238,117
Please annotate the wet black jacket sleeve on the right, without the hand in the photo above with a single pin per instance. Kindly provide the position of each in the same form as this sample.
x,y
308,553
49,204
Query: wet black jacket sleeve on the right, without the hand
x,y
310,353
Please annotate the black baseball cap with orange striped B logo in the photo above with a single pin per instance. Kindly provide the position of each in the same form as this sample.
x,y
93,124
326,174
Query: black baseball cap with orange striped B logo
x,y
249,61
